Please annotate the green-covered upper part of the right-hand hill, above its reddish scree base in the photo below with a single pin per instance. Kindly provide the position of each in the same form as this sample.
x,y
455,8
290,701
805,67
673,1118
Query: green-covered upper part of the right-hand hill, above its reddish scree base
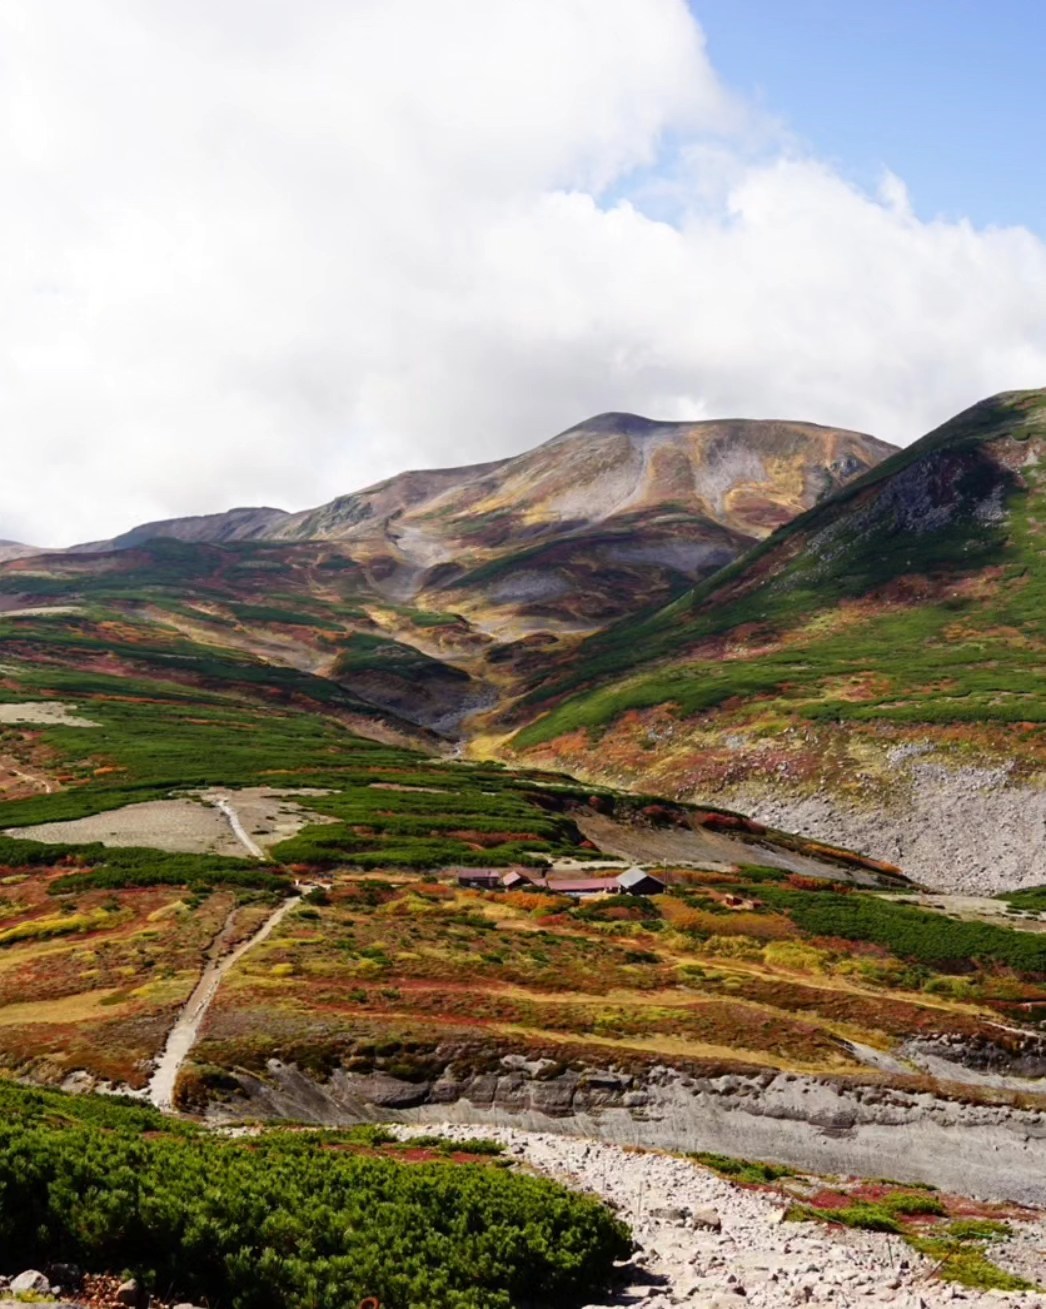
x,y
925,582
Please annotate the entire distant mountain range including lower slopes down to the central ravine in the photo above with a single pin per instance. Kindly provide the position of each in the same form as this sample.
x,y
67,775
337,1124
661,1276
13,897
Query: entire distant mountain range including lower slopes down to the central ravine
x,y
430,596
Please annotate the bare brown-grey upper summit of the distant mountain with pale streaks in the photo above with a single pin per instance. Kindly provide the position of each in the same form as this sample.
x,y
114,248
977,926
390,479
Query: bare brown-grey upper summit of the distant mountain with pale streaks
x,y
604,519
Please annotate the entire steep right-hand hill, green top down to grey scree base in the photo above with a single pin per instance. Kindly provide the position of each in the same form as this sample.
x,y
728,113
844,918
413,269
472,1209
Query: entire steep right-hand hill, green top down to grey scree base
x,y
873,672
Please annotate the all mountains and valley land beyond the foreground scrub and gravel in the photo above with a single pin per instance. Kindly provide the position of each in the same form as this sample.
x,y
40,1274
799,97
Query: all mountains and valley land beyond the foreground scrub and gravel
x,y
255,770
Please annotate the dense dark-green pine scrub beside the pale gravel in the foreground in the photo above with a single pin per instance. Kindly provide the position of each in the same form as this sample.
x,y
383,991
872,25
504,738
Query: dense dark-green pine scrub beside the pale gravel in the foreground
x,y
285,1221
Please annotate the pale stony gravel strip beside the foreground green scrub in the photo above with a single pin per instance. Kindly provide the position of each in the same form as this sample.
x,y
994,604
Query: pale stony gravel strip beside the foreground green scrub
x,y
709,1244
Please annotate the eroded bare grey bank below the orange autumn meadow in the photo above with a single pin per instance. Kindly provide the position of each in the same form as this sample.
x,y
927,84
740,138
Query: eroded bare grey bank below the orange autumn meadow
x,y
808,1122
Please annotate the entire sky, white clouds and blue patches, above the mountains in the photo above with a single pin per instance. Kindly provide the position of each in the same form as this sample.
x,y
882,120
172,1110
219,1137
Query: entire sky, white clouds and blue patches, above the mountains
x,y
260,252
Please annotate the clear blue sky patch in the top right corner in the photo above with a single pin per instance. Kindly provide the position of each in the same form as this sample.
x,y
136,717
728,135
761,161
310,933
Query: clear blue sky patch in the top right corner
x,y
946,94
